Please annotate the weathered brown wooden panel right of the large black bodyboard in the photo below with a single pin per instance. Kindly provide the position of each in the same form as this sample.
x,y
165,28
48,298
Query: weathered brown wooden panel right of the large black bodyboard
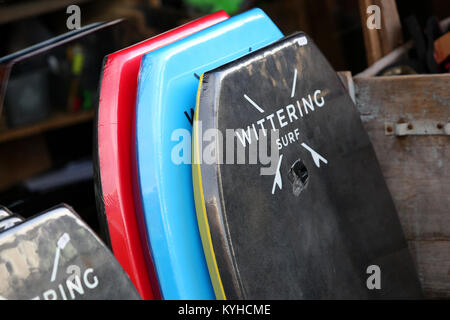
x,y
416,168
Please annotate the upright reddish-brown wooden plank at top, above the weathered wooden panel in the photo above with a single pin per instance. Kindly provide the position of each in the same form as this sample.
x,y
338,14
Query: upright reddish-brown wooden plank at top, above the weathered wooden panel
x,y
379,42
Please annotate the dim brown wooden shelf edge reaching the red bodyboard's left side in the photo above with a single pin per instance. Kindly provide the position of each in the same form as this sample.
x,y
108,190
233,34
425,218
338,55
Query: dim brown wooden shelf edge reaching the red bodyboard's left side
x,y
58,120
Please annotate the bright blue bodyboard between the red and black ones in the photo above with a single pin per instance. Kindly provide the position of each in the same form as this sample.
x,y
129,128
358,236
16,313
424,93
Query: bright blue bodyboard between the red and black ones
x,y
168,83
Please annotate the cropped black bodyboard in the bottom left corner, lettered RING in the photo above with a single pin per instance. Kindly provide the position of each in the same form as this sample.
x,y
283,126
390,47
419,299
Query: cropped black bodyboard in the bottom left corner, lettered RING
x,y
55,255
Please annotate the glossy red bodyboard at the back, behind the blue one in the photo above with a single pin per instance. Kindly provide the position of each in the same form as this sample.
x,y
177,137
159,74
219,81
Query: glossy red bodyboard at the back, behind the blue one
x,y
116,194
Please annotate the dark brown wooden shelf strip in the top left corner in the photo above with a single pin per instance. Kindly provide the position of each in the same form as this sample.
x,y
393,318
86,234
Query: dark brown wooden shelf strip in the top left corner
x,y
27,9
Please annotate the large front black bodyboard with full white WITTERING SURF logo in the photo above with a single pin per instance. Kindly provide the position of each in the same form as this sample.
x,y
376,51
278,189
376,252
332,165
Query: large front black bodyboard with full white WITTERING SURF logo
x,y
312,230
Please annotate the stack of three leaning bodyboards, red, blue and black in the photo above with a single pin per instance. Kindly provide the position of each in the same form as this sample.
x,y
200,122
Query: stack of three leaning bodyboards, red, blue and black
x,y
231,163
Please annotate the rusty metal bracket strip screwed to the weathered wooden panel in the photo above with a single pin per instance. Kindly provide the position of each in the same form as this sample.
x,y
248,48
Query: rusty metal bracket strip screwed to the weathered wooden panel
x,y
417,128
